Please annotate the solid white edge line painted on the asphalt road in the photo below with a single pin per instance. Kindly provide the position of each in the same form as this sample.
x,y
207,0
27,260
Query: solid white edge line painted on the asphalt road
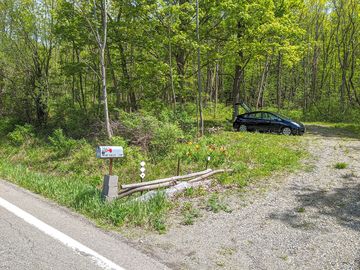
x,y
63,238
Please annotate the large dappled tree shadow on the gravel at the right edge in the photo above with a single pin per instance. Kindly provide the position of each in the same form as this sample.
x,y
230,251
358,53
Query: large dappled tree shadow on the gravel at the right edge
x,y
343,204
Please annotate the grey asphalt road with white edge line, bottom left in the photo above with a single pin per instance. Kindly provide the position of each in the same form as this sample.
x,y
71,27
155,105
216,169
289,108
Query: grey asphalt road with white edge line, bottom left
x,y
25,246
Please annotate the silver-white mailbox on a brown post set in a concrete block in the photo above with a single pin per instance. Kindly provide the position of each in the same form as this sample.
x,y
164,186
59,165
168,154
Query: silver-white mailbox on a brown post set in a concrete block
x,y
110,183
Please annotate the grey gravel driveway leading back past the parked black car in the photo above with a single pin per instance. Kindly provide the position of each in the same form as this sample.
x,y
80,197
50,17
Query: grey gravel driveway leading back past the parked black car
x,y
306,220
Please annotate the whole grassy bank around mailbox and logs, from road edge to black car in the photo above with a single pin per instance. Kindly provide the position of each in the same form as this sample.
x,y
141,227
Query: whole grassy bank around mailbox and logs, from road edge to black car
x,y
66,170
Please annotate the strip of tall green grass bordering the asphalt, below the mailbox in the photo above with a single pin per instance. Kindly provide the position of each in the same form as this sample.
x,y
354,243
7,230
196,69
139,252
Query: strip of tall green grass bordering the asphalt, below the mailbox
x,y
77,194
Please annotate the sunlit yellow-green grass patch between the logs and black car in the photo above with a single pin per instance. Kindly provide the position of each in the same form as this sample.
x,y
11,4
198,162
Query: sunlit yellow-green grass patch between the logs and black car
x,y
249,155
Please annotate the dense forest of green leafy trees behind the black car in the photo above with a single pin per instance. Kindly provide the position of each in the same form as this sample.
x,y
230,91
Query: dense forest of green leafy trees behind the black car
x,y
77,64
